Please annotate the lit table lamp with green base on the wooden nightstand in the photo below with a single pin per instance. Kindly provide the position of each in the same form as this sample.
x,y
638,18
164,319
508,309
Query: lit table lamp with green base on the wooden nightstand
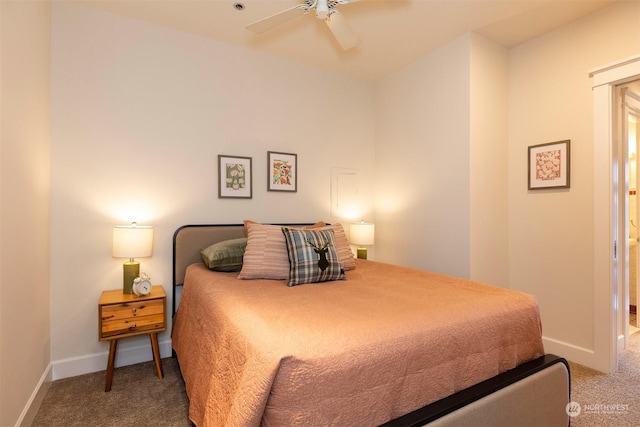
x,y
132,241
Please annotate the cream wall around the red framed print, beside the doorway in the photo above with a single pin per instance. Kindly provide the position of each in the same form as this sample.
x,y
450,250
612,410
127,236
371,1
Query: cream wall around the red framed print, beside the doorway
x,y
551,233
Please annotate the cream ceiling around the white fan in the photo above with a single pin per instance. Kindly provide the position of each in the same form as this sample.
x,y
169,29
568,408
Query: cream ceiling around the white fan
x,y
393,33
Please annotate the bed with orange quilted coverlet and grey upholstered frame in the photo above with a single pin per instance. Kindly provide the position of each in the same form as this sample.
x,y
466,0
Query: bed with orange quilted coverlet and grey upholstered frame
x,y
385,345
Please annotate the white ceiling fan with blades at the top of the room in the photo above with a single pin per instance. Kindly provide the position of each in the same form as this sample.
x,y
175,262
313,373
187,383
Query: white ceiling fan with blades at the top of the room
x,y
325,9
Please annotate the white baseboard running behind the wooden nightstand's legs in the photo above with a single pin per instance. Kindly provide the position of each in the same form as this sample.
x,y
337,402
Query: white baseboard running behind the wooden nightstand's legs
x,y
96,362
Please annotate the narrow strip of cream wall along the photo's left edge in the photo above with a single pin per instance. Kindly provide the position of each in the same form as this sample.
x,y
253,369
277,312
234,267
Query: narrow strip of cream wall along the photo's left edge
x,y
24,214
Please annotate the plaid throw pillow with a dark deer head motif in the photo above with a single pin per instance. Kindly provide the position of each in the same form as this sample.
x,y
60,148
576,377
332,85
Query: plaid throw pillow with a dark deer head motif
x,y
312,256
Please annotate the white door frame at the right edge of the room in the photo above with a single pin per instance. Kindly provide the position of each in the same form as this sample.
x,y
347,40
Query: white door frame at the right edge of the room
x,y
608,268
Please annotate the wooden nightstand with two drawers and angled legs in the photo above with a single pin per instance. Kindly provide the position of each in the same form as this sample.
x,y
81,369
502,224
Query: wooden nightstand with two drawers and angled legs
x,y
127,315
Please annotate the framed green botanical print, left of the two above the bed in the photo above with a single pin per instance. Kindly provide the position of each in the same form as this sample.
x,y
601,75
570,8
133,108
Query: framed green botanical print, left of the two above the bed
x,y
234,177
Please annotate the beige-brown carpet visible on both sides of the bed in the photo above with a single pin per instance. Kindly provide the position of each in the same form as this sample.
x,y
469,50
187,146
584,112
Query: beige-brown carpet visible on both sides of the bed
x,y
139,398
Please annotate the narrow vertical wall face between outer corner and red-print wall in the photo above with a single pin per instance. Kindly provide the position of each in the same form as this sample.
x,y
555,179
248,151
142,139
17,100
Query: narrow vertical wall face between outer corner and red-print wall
x,y
489,171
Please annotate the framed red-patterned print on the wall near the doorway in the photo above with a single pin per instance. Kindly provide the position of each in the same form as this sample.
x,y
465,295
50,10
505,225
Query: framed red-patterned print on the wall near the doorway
x,y
549,165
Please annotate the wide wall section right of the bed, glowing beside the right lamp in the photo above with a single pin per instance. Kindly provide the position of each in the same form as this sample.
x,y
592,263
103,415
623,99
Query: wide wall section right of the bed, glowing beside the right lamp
x,y
422,167
